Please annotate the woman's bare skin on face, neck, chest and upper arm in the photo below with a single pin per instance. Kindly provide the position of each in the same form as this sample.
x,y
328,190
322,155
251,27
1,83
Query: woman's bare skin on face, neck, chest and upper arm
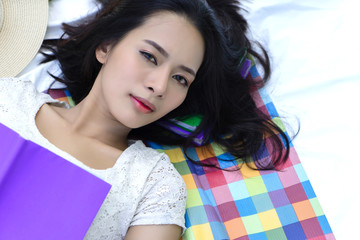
x,y
95,131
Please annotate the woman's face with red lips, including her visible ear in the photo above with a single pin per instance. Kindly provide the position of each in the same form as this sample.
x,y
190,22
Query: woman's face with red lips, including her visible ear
x,y
148,73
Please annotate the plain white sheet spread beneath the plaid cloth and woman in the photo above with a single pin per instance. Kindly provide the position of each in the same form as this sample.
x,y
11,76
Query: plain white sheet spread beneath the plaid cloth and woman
x,y
315,51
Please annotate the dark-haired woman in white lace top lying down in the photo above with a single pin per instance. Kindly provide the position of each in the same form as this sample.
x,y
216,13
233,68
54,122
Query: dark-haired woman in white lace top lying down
x,y
135,63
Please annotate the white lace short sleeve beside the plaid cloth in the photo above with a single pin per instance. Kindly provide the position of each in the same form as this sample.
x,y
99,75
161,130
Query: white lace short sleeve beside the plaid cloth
x,y
164,195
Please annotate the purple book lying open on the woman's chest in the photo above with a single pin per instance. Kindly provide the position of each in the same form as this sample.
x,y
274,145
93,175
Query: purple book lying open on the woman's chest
x,y
42,195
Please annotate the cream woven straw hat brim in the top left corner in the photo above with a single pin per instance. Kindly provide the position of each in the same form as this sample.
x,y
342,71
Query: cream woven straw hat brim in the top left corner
x,y
22,29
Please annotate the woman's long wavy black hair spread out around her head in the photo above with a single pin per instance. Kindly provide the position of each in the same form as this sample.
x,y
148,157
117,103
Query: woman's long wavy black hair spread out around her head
x,y
219,93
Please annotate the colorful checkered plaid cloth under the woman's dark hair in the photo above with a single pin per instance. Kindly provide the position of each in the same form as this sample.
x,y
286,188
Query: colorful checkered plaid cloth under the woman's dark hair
x,y
247,204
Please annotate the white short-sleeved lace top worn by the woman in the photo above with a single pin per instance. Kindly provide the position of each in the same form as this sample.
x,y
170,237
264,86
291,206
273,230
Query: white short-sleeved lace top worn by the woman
x,y
146,188
